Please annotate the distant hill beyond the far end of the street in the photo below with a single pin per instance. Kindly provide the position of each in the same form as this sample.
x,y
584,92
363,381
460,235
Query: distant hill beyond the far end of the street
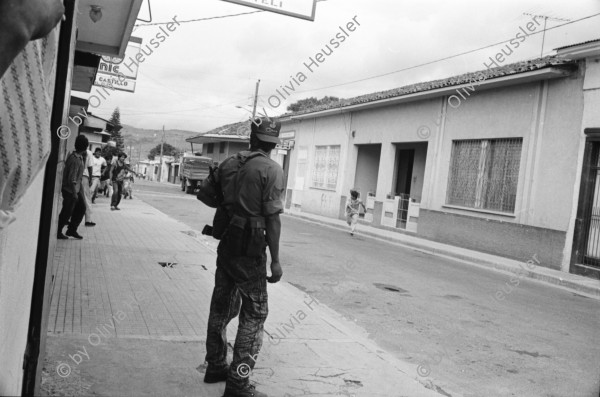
x,y
147,139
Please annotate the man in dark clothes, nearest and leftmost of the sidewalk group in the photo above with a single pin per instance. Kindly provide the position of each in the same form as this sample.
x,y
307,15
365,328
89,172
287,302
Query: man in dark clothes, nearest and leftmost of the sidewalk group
x,y
73,200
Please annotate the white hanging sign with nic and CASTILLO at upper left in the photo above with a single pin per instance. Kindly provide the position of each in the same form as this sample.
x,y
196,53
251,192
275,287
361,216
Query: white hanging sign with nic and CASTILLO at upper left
x,y
112,72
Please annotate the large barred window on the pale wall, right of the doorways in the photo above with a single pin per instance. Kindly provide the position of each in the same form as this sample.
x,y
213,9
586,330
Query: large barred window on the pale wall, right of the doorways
x,y
484,174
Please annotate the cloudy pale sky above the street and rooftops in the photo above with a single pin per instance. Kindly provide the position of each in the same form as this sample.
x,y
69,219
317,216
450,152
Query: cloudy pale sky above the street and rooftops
x,y
197,76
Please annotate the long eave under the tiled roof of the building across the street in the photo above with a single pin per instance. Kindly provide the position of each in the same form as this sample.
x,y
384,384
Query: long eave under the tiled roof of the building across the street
x,y
536,75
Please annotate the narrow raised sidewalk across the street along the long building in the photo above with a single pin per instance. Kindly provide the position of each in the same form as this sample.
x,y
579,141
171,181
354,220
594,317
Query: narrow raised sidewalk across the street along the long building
x,y
583,285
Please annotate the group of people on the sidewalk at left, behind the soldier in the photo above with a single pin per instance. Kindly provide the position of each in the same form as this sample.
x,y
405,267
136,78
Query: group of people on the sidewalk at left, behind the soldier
x,y
85,174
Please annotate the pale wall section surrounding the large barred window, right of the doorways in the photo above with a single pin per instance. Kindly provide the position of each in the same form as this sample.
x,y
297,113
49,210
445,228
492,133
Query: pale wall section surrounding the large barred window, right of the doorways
x,y
547,117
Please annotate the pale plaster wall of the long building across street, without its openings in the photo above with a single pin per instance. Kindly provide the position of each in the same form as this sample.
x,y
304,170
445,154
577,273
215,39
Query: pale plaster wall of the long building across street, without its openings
x,y
545,114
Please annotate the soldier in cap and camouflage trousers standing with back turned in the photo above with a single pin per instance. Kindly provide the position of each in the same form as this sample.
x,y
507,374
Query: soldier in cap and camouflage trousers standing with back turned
x,y
252,188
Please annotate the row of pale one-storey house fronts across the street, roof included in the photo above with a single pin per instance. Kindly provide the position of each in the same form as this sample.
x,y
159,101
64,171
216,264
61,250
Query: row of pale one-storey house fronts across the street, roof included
x,y
490,161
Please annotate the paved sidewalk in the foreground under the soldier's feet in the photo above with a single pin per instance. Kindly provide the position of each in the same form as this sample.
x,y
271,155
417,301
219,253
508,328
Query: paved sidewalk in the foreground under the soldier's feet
x,y
121,324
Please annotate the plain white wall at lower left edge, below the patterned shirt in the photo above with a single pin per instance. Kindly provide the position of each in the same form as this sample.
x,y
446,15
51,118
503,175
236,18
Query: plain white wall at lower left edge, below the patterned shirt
x,y
17,267
